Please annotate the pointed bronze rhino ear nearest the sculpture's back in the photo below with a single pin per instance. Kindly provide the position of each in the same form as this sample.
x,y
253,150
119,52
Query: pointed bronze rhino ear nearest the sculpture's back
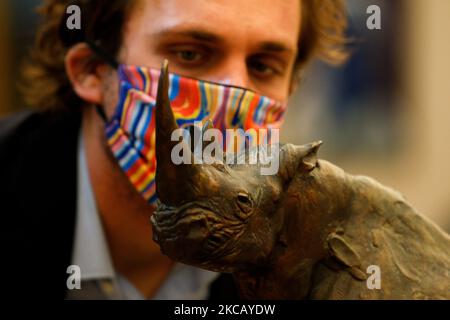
x,y
298,158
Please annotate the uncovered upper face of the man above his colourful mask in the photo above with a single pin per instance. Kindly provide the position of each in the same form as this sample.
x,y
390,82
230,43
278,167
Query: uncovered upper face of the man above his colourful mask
x,y
246,43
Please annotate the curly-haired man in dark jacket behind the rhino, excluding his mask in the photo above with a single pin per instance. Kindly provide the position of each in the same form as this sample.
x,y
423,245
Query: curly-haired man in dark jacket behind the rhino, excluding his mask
x,y
65,198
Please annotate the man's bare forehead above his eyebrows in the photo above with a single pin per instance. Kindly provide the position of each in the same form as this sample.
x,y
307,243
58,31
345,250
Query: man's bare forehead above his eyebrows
x,y
275,24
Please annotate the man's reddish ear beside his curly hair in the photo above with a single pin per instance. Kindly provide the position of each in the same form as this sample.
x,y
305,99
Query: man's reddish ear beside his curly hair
x,y
84,75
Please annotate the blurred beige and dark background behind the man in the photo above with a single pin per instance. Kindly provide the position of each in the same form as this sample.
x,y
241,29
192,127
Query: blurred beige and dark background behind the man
x,y
385,114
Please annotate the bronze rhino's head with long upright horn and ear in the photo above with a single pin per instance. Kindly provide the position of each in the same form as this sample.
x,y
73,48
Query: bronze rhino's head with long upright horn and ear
x,y
219,217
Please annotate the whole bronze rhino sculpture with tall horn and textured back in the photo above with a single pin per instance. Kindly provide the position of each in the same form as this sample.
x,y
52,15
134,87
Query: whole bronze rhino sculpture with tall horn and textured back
x,y
309,232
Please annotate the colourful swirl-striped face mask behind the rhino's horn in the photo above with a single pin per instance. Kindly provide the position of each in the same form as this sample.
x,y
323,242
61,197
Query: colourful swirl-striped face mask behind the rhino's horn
x,y
131,130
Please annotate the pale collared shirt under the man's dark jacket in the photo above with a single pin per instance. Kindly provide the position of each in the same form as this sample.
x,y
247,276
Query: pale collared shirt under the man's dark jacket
x,y
91,253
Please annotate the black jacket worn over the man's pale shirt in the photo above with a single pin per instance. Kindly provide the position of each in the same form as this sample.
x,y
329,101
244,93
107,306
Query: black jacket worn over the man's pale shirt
x,y
38,193
